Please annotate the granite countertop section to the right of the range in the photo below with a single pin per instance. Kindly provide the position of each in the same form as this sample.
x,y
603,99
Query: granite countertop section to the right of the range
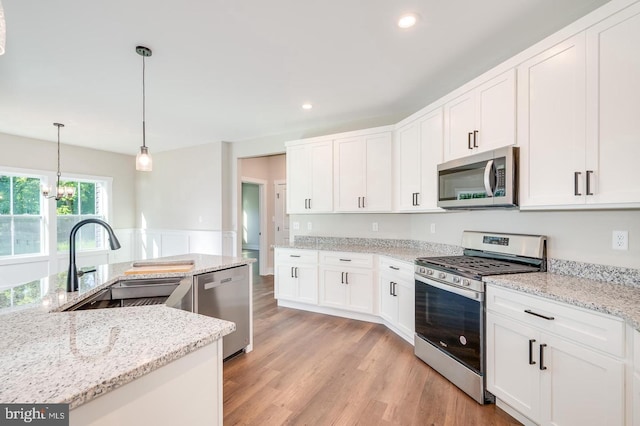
x,y
610,298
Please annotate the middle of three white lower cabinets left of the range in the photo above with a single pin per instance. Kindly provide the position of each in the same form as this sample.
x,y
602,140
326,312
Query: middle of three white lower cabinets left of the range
x,y
346,281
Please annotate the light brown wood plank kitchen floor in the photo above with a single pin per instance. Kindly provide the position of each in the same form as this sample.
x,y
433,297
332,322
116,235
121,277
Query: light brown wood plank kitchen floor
x,y
313,369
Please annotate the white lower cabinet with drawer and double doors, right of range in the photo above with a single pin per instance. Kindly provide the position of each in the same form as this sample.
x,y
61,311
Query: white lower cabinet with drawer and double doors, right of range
x,y
539,362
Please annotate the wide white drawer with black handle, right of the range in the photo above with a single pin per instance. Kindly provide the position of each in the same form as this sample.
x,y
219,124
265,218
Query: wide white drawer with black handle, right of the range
x,y
590,328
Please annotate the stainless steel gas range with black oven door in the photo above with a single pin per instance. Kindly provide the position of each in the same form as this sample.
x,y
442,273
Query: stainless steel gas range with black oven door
x,y
450,311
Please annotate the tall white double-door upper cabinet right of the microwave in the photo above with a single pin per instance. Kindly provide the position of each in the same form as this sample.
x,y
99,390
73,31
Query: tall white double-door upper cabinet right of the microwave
x,y
578,127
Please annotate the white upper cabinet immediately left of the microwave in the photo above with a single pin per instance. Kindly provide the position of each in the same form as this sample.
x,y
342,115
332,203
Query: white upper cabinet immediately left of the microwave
x,y
418,151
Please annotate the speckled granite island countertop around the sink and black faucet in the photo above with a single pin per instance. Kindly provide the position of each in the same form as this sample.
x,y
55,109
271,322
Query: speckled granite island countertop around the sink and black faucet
x,y
50,356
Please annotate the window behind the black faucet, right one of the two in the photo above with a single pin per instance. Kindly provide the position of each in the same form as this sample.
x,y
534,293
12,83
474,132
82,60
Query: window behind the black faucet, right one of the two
x,y
88,201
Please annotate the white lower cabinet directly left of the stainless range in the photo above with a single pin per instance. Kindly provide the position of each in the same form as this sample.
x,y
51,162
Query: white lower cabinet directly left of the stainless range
x,y
397,296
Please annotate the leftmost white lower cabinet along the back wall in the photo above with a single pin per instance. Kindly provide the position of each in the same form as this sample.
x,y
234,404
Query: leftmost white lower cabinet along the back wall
x,y
296,277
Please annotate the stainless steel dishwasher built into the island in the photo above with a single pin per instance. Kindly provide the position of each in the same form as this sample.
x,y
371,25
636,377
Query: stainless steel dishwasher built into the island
x,y
225,294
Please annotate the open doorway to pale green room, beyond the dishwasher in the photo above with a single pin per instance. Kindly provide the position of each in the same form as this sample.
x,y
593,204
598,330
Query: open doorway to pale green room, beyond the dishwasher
x,y
254,222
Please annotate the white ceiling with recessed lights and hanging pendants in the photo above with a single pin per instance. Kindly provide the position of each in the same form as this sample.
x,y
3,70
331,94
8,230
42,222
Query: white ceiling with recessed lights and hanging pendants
x,y
235,70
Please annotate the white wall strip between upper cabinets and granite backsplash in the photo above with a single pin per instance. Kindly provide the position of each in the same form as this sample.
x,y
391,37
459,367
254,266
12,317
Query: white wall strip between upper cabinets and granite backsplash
x,y
573,235
